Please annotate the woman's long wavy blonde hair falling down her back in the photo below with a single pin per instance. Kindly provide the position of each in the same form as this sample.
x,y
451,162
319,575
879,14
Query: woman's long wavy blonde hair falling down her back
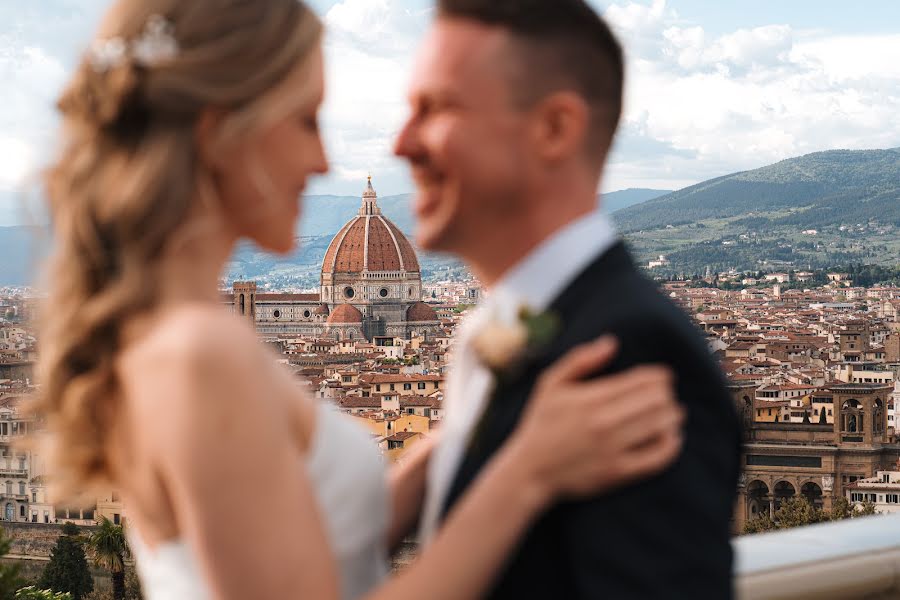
x,y
124,183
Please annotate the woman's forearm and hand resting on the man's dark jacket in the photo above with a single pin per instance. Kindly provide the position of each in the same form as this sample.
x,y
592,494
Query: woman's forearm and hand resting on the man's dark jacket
x,y
591,453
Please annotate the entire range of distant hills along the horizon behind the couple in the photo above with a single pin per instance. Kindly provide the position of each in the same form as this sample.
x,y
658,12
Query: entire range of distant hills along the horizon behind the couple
x,y
823,209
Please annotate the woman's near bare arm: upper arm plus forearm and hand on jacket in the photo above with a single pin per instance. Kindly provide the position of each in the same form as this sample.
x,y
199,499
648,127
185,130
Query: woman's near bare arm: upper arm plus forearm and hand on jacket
x,y
229,465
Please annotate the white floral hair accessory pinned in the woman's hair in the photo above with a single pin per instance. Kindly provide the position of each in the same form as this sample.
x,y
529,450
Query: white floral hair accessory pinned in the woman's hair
x,y
155,45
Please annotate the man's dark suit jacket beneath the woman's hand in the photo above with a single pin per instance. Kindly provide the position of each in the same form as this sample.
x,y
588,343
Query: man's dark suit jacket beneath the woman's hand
x,y
667,537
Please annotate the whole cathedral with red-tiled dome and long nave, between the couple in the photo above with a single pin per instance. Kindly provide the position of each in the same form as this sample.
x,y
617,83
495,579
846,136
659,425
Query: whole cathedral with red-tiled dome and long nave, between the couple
x,y
371,285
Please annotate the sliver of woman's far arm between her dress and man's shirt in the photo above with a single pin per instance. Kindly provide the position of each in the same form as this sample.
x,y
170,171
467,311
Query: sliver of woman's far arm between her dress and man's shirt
x,y
407,487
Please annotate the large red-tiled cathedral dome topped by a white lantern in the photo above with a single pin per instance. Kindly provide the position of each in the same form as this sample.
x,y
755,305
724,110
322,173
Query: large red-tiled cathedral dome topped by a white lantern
x,y
370,243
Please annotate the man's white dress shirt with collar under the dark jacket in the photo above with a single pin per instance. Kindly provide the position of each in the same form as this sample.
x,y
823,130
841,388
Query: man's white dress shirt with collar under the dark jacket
x,y
536,281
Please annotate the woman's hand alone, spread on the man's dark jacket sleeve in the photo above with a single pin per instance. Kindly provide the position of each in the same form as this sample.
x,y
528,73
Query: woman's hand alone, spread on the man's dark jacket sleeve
x,y
581,438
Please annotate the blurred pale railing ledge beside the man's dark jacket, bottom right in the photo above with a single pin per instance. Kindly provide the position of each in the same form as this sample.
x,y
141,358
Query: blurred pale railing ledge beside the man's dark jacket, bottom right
x,y
857,559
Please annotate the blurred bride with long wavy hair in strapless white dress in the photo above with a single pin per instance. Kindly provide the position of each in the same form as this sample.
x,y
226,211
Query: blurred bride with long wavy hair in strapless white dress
x,y
188,126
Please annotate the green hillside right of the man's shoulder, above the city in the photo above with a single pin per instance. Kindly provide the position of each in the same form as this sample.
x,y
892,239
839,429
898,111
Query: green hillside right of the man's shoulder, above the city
x,y
826,209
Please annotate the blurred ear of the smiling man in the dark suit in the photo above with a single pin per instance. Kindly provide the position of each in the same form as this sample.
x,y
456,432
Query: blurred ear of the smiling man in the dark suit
x,y
561,123
